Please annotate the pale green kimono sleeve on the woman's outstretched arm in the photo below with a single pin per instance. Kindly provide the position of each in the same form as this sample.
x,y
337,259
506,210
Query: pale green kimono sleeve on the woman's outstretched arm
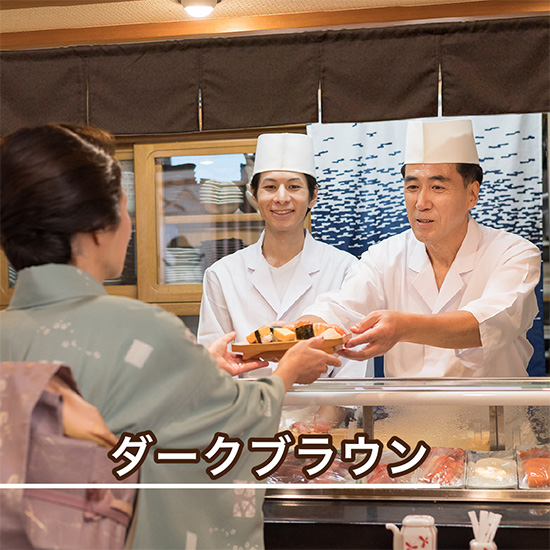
x,y
179,392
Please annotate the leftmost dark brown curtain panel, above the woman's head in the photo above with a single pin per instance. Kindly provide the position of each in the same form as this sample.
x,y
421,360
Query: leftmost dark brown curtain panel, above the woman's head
x,y
42,86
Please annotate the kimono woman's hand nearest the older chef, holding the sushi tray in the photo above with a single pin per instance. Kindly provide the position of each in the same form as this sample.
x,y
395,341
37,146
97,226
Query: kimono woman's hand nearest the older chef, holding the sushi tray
x,y
304,362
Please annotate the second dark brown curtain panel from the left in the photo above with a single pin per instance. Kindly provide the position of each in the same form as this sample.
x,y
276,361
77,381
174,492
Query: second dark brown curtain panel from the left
x,y
144,89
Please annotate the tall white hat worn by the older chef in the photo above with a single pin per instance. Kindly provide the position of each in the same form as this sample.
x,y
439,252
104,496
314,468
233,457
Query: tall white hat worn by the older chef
x,y
441,141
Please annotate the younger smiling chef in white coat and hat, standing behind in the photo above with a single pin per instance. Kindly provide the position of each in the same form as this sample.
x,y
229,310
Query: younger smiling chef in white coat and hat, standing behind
x,y
285,270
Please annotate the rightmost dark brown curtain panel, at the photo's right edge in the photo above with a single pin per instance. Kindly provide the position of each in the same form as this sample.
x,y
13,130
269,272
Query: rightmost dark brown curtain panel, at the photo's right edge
x,y
496,67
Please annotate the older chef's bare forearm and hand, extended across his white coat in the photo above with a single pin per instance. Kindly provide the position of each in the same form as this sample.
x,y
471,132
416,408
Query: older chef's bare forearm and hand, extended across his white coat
x,y
379,331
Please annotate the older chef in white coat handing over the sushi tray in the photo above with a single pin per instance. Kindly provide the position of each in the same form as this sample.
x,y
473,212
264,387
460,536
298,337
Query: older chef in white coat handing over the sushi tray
x,y
448,297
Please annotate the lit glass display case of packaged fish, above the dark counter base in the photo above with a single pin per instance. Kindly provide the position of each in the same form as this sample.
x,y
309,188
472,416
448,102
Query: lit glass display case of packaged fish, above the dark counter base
x,y
464,439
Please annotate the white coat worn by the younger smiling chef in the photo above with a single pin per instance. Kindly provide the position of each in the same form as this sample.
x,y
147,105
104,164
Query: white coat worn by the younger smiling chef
x,y
239,294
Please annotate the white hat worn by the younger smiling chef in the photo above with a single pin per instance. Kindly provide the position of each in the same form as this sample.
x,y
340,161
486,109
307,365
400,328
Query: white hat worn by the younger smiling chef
x,y
284,152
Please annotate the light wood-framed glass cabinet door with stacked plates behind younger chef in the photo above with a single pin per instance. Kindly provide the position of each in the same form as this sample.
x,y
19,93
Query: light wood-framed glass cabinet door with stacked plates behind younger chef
x,y
193,199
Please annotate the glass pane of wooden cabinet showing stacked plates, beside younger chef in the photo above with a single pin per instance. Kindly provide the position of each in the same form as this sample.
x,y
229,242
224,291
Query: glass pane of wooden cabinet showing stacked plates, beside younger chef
x,y
206,209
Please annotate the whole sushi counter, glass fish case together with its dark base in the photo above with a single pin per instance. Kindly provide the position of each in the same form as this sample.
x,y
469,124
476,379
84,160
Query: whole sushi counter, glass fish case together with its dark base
x,y
483,444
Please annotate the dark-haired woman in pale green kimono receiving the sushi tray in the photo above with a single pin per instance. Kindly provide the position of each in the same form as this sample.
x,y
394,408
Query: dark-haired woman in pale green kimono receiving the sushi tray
x,y
65,228
